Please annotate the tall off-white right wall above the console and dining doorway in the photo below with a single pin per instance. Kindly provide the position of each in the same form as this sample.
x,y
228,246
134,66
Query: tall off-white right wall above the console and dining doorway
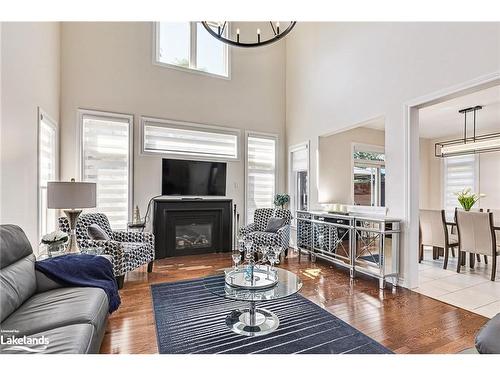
x,y
340,74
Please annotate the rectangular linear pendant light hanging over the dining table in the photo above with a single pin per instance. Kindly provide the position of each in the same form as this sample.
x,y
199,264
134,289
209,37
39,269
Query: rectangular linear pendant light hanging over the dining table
x,y
468,145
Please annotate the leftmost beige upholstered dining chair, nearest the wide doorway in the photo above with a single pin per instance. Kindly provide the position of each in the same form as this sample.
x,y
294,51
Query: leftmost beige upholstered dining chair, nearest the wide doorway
x,y
434,232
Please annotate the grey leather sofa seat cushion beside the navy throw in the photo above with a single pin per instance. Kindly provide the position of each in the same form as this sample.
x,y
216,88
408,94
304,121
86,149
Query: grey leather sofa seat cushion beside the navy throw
x,y
59,307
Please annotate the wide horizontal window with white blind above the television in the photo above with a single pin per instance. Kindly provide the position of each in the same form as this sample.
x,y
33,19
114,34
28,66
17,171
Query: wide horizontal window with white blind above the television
x,y
187,139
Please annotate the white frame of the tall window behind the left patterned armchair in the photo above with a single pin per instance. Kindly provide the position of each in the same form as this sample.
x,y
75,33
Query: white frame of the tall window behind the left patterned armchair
x,y
81,112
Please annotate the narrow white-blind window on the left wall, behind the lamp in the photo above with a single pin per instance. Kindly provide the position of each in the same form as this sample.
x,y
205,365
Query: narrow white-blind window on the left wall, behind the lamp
x,y
48,160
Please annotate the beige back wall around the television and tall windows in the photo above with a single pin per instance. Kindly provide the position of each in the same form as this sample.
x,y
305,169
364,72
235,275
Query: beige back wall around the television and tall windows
x,y
108,66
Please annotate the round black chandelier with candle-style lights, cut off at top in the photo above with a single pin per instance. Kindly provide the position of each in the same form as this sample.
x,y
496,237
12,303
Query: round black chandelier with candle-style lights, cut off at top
x,y
219,31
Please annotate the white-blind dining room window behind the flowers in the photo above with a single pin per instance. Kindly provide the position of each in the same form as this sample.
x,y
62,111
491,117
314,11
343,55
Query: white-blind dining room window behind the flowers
x,y
460,172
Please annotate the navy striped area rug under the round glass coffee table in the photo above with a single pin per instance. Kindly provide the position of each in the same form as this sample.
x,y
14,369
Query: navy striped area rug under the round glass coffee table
x,y
190,319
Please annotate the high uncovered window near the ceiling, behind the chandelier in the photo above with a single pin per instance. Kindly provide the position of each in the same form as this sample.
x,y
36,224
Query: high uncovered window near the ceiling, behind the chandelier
x,y
187,45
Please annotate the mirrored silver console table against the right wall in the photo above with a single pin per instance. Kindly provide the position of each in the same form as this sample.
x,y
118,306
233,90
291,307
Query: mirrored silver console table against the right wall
x,y
368,245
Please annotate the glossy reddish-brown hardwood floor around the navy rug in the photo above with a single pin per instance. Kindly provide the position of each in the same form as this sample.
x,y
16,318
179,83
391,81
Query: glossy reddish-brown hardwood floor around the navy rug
x,y
405,322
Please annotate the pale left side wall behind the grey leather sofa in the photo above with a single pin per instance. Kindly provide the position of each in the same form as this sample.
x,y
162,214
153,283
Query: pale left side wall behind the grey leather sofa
x,y
30,78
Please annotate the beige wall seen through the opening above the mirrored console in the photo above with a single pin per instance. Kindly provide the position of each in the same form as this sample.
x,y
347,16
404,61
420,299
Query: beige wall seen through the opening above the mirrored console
x,y
335,162
